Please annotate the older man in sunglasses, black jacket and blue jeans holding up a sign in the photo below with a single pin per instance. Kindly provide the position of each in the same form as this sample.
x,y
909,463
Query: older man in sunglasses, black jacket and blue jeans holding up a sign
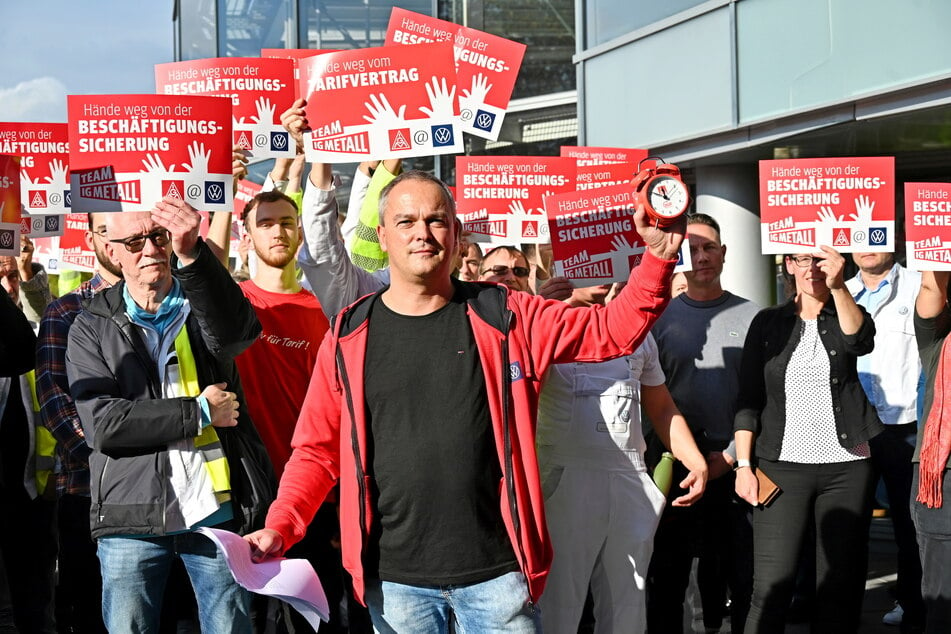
x,y
150,363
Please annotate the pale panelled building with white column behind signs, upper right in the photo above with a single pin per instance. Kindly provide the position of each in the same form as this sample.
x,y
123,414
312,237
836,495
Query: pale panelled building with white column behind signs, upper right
x,y
718,85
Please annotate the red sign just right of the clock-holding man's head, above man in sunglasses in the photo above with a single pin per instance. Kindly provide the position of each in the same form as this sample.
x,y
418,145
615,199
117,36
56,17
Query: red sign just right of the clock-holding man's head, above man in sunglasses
x,y
501,197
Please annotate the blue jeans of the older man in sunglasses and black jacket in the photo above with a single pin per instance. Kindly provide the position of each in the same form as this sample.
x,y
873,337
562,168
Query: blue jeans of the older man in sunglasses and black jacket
x,y
134,572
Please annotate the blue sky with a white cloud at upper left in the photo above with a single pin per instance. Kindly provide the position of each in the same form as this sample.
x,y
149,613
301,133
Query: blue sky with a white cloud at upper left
x,y
54,48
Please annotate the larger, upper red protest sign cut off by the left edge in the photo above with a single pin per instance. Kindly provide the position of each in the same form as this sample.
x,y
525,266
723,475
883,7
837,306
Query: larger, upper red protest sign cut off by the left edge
x,y
44,164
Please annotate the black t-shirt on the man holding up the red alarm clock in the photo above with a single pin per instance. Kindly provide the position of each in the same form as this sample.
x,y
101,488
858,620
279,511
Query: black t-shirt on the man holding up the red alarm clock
x,y
432,458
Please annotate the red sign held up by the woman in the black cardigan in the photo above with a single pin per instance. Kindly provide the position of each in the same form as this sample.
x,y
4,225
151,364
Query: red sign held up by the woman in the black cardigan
x,y
845,203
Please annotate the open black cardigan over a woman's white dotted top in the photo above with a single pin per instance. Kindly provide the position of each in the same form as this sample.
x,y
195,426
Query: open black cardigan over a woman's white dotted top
x,y
770,342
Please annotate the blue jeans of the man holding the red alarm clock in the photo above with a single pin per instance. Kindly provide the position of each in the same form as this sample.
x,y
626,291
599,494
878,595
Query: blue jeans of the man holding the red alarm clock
x,y
497,605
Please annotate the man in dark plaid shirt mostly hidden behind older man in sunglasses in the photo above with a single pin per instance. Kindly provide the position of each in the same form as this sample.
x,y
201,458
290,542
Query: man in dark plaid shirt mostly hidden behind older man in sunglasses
x,y
79,587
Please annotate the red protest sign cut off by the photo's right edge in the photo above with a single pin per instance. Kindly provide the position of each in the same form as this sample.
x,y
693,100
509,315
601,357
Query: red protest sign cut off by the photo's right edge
x,y
928,226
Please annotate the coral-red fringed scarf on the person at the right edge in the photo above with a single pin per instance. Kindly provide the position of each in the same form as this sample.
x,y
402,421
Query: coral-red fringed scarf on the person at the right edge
x,y
936,443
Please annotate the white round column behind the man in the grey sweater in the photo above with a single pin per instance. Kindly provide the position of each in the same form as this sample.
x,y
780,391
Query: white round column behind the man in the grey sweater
x,y
730,194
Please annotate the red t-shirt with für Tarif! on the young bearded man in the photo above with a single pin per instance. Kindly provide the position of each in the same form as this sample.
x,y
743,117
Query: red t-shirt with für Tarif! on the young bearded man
x,y
275,371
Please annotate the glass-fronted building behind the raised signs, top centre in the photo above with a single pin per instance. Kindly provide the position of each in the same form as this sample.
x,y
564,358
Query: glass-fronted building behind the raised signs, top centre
x,y
543,113
